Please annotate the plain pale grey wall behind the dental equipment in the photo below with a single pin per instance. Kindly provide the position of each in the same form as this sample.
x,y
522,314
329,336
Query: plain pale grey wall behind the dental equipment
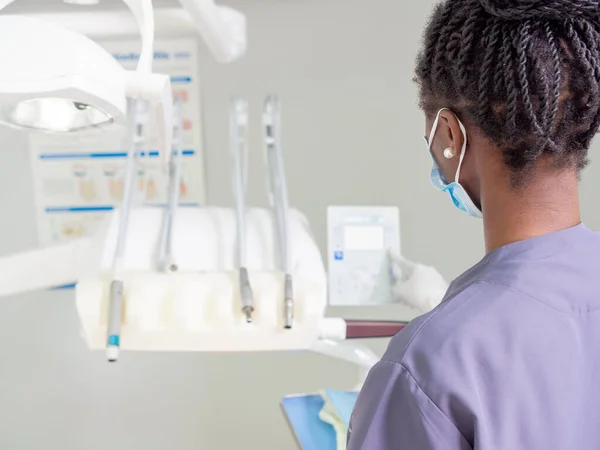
x,y
352,135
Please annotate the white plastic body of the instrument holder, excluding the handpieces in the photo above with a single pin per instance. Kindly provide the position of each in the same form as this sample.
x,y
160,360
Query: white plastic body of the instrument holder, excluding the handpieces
x,y
197,308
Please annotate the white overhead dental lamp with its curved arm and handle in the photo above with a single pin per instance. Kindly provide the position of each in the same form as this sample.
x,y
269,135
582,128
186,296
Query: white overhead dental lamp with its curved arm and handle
x,y
55,80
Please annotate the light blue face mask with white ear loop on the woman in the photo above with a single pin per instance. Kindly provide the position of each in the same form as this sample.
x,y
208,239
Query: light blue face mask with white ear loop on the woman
x,y
455,190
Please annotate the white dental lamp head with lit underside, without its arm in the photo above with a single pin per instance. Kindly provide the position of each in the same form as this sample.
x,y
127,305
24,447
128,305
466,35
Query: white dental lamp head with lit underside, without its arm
x,y
56,81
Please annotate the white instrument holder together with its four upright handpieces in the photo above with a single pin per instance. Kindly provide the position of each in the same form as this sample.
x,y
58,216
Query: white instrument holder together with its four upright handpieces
x,y
199,307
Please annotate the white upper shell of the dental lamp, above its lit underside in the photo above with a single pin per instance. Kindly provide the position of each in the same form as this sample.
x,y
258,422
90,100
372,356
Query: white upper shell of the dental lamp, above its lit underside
x,y
43,60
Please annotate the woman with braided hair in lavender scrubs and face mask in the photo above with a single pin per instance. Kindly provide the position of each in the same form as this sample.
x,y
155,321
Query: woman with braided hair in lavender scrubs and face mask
x,y
510,360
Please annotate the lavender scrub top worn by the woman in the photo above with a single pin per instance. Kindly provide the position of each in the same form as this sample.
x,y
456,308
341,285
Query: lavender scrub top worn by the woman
x,y
510,360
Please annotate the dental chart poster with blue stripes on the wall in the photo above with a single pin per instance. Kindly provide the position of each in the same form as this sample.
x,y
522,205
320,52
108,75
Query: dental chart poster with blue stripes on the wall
x,y
79,180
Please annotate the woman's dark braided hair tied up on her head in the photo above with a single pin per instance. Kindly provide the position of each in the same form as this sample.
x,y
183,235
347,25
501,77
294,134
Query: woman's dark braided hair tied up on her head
x,y
526,72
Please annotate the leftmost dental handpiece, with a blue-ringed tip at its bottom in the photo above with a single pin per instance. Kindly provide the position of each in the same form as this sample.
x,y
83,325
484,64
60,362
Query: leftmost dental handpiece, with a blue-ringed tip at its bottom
x,y
115,304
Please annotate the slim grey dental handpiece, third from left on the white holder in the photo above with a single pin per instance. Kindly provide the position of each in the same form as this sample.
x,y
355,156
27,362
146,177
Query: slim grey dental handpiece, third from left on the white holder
x,y
239,150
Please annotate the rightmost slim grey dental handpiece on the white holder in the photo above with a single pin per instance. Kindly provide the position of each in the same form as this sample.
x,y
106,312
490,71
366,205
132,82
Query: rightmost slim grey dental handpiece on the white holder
x,y
279,200
